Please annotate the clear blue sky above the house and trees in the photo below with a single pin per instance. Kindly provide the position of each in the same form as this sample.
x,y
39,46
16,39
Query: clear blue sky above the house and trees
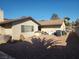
x,y
40,9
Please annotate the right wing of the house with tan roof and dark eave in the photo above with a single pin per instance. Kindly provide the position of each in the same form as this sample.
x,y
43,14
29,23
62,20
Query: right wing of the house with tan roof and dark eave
x,y
51,26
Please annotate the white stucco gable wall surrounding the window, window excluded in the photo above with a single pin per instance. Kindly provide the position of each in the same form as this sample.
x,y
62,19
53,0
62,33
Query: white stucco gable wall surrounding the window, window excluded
x,y
16,29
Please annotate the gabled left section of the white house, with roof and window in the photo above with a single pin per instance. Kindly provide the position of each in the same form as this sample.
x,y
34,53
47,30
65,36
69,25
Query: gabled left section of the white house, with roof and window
x,y
25,26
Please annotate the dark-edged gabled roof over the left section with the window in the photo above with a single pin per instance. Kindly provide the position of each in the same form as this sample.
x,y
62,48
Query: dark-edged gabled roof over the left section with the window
x,y
7,21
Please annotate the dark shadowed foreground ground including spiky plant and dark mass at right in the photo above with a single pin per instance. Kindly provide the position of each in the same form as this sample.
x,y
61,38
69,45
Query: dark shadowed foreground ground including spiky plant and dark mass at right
x,y
38,49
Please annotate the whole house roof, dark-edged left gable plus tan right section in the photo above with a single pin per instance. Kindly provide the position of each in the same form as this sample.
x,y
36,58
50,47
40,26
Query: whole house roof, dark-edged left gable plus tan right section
x,y
42,23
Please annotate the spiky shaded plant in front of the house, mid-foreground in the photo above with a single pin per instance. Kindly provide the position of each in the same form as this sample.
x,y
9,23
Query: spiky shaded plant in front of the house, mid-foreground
x,y
42,43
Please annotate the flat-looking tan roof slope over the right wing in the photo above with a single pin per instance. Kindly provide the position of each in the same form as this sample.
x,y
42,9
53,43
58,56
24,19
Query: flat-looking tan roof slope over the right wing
x,y
51,22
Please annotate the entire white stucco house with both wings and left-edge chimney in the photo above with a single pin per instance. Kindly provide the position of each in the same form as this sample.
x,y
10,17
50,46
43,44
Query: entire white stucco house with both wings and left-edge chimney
x,y
27,26
